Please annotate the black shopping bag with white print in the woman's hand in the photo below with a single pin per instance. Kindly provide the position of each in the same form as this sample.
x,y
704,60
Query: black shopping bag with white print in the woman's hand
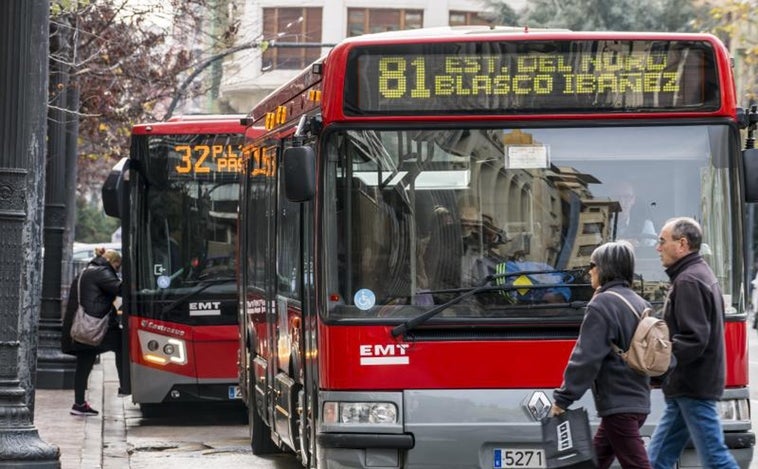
x,y
567,439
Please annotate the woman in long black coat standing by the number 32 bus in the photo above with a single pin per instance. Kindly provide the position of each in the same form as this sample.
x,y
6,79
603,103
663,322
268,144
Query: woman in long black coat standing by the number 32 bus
x,y
100,285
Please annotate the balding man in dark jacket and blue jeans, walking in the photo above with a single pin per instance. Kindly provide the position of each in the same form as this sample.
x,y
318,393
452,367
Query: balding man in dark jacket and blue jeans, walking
x,y
694,312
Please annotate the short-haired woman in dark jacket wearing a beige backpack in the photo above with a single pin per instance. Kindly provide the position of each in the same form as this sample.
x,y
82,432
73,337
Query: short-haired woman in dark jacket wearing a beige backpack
x,y
622,395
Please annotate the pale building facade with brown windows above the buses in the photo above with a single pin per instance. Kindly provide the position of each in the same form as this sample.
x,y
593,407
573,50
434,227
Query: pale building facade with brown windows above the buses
x,y
277,25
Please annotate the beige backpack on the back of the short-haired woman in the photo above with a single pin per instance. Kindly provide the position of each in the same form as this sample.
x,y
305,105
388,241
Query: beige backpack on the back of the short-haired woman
x,y
649,351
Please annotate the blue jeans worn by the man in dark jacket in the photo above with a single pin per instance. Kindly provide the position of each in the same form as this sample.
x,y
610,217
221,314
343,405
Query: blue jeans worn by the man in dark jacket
x,y
686,418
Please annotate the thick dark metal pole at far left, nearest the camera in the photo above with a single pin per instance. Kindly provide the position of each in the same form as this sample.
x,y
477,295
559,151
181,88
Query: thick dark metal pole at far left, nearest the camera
x,y
23,105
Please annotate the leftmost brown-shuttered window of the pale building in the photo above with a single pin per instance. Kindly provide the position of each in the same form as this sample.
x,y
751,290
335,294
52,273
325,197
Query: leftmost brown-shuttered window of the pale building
x,y
291,25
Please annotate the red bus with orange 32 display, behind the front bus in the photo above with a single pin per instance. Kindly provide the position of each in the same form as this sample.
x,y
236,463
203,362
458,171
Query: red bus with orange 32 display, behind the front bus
x,y
176,195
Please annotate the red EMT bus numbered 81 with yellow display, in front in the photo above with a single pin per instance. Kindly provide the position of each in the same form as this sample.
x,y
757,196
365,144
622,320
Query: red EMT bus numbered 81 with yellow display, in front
x,y
431,199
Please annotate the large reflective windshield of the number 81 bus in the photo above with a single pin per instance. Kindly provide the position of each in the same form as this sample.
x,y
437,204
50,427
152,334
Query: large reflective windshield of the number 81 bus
x,y
417,217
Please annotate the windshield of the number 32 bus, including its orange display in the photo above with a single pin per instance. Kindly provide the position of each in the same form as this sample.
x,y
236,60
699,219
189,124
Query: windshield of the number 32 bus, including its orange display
x,y
188,218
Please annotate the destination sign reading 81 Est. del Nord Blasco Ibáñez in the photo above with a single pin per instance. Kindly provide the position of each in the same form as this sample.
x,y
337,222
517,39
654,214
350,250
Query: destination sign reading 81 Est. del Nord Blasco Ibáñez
x,y
532,77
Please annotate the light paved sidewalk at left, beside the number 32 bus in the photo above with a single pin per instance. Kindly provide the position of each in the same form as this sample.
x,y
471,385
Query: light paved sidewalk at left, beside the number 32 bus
x,y
95,442
